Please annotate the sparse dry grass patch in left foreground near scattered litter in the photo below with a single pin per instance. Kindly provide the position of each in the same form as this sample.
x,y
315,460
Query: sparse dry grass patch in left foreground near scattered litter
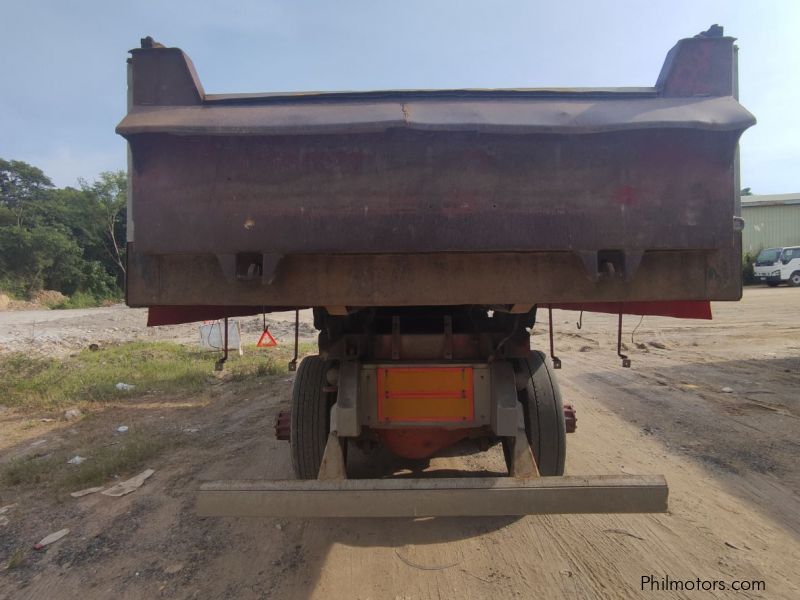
x,y
102,463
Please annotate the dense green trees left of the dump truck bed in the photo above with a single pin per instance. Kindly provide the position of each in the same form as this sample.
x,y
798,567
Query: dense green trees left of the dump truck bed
x,y
69,240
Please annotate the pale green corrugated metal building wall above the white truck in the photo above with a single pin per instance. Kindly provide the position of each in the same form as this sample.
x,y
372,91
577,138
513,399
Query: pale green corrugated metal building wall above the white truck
x,y
770,226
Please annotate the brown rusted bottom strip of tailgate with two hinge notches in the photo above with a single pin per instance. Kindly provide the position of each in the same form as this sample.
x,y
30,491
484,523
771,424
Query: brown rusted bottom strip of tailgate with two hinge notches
x,y
418,279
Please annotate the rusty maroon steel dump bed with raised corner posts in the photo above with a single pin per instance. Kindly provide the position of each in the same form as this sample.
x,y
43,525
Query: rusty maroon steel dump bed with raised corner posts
x,y
414,198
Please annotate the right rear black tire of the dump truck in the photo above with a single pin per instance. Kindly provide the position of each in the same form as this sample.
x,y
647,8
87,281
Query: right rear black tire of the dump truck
x,y
544,415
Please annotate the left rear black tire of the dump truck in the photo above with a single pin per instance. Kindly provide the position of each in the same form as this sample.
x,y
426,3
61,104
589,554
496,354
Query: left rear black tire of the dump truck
x,y
311,409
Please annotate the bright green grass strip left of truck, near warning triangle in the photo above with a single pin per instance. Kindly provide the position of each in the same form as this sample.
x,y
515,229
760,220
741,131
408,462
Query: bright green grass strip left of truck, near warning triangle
x,y
91,376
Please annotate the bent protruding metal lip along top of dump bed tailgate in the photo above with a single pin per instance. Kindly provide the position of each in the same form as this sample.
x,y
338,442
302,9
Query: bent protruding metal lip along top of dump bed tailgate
x,y
484,112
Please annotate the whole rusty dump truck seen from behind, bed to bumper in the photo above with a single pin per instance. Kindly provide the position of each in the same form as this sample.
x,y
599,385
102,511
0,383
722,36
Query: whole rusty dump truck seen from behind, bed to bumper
x,y
429,231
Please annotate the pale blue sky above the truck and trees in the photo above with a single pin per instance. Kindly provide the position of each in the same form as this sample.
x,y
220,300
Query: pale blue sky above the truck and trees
x,y
63,62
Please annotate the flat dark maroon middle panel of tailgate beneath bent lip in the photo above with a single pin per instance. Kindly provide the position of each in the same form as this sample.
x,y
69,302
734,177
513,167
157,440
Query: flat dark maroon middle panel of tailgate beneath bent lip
x,y
433,192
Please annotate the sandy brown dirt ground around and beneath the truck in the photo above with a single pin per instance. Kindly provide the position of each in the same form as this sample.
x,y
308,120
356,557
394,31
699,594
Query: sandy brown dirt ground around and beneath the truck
x,y
730,458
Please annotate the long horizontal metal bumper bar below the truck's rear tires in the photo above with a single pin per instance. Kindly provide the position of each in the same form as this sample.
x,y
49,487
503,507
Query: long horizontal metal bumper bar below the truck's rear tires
x,y
458,497
